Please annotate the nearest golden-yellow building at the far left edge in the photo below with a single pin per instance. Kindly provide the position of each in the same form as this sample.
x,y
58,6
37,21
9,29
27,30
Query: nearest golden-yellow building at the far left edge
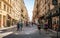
x,y
4,4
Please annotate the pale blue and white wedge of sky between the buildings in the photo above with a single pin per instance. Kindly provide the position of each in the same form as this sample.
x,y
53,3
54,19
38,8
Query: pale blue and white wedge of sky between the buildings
x,y
29,5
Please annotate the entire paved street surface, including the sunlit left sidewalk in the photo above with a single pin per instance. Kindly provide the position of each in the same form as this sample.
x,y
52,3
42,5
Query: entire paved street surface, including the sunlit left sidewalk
x,y
27,32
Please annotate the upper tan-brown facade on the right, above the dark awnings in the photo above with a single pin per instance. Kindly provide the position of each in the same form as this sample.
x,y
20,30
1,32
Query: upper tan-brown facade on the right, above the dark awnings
x,y
40,9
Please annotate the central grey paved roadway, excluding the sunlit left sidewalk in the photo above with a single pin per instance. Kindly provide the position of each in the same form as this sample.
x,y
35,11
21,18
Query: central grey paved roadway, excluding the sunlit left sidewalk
x,y
28,32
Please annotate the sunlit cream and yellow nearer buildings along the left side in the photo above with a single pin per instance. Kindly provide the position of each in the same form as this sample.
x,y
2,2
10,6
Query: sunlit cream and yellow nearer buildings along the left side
x,y
10,12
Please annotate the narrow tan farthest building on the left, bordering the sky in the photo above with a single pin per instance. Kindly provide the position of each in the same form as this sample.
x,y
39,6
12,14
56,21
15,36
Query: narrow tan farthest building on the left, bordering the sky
x,y
24,13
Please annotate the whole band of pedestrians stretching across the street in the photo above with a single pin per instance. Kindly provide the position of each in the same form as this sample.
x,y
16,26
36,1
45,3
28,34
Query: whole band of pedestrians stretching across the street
x,y
39,25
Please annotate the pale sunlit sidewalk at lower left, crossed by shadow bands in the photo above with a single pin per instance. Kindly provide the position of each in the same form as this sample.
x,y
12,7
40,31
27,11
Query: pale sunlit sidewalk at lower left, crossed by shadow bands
x,y
6,31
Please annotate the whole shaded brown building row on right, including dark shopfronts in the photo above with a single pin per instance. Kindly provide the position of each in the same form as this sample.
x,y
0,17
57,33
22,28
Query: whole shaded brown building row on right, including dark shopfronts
x,y
48,10
